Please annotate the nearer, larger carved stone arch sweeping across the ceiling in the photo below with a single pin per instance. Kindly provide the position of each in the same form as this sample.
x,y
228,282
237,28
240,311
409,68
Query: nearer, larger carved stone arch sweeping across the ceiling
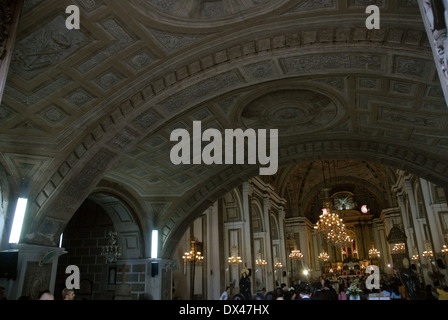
x,y
144,110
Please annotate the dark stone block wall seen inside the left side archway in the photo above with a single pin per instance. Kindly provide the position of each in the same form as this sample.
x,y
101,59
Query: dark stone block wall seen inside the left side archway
x,y
83,239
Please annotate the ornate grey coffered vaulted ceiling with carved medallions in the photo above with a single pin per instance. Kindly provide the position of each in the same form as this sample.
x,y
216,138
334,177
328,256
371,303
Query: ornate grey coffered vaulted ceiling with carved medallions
x,y
94,108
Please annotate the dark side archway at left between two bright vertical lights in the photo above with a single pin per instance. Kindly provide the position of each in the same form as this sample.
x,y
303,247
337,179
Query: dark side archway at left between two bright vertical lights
x,y
85,237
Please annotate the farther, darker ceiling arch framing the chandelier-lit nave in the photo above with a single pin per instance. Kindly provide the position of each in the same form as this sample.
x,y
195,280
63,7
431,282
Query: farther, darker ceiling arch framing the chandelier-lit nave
x,y
387,154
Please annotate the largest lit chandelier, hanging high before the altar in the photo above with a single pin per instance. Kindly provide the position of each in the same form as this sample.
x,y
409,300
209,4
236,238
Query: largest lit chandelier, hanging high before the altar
x,y
332,228
